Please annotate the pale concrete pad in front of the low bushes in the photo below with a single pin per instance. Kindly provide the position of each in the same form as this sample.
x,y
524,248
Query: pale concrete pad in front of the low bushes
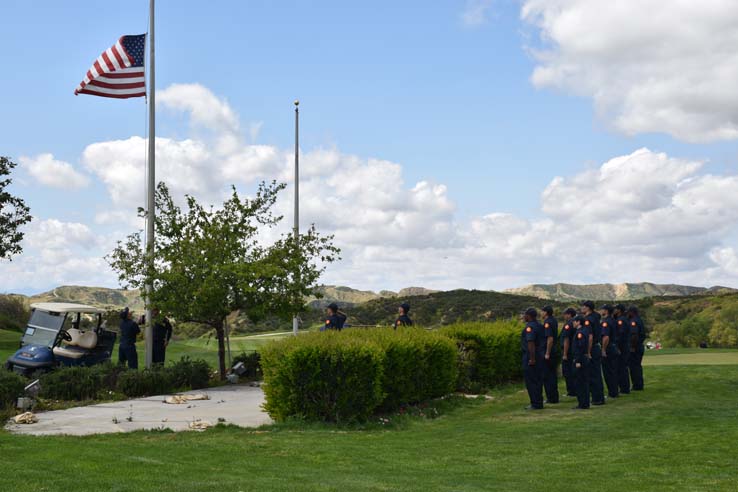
x,y
237,404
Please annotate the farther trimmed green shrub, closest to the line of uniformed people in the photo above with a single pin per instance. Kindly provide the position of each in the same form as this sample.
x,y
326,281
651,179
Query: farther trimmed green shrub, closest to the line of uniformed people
x,y
488,353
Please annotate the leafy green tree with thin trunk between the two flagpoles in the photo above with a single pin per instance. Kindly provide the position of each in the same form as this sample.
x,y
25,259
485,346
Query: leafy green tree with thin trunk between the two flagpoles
x,y
210,262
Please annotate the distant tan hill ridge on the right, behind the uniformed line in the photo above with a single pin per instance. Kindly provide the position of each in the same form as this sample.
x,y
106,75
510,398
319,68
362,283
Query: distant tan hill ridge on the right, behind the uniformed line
x,y
620,292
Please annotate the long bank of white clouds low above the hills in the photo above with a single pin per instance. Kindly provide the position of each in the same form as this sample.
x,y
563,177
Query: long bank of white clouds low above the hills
x,y
642,216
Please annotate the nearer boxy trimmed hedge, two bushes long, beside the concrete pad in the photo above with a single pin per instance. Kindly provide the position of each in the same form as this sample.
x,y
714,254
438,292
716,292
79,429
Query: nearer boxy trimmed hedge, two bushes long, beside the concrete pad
x,y
347,376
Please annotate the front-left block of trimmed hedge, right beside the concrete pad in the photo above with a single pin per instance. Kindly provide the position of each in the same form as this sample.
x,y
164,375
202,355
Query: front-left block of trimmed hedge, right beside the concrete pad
x,y
322,376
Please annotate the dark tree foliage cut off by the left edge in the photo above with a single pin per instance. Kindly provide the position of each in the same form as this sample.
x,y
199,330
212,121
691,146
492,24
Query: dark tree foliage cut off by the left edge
x,y
14,213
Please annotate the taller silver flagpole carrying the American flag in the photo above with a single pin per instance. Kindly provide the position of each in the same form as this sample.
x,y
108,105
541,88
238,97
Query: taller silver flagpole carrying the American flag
x,y
151,185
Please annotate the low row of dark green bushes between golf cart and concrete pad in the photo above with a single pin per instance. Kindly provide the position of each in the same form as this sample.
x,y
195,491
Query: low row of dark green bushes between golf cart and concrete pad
x,y
88,383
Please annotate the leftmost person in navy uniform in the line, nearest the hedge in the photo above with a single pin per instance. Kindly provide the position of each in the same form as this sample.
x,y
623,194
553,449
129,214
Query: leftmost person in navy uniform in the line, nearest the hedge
x,y
532,345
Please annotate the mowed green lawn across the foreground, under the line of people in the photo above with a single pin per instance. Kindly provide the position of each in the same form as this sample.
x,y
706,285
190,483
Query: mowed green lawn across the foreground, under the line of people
x,y
678,435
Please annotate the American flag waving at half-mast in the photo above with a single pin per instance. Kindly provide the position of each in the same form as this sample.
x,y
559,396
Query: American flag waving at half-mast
x,y
119,71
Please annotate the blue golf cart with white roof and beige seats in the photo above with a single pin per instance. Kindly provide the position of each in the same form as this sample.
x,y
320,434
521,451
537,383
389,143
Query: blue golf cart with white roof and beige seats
x,y
62,334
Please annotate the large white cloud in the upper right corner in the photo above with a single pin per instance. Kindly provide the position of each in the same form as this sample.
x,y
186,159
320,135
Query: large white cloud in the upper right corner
x,y
649,66
